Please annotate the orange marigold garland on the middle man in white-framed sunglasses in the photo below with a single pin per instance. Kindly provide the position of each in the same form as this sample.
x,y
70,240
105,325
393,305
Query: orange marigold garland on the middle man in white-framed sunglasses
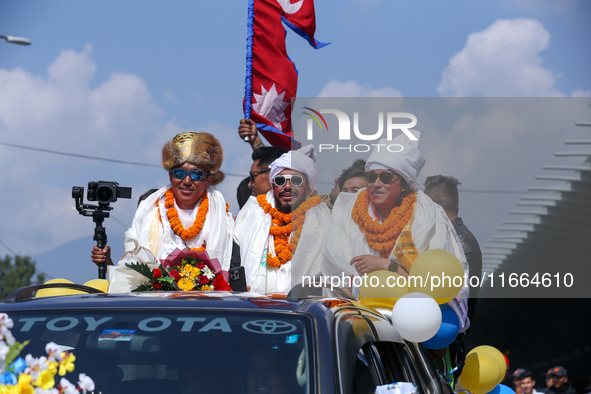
x,y
281,229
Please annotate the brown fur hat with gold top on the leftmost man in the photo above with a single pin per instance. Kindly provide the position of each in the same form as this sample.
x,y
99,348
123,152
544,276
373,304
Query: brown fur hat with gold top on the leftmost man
x,y
201,149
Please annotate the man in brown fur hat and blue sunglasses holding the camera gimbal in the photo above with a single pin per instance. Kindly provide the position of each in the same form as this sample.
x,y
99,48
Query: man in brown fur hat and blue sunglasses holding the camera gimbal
x,y
189,212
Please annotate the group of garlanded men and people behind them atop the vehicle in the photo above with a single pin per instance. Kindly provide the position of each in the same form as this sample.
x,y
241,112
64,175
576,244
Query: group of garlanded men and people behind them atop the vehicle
x,y
374,218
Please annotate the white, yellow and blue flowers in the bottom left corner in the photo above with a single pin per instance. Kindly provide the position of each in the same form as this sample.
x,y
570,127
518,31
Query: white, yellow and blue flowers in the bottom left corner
x,y
35,375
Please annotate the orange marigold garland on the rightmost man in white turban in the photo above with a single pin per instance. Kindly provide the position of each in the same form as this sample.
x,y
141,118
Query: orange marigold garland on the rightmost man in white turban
x,y
382,237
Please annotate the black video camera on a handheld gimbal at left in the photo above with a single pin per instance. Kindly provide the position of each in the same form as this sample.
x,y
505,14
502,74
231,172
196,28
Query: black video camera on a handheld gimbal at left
x,y
104,193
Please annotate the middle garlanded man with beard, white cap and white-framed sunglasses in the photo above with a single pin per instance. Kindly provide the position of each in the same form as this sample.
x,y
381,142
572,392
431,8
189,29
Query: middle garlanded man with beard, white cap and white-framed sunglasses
x,y
285,221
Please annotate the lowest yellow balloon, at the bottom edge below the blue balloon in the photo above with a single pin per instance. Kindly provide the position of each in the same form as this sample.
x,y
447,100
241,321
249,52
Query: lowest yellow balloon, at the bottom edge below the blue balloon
x,y
481,373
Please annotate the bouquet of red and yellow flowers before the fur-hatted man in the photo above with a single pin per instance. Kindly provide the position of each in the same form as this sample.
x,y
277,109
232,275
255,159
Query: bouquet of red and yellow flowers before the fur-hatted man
x,y
184,270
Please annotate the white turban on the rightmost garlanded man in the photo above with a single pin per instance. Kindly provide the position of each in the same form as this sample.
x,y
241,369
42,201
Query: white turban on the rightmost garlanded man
x,y
407,163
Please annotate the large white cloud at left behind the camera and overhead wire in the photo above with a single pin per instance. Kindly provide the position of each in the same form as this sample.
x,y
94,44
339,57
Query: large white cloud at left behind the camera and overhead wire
x,y
62,111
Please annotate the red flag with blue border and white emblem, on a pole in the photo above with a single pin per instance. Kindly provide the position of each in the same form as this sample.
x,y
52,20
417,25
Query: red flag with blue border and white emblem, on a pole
x,y
271,76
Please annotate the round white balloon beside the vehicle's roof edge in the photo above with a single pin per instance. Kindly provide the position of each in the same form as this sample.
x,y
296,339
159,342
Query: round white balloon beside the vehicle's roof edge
x,y
417,317
